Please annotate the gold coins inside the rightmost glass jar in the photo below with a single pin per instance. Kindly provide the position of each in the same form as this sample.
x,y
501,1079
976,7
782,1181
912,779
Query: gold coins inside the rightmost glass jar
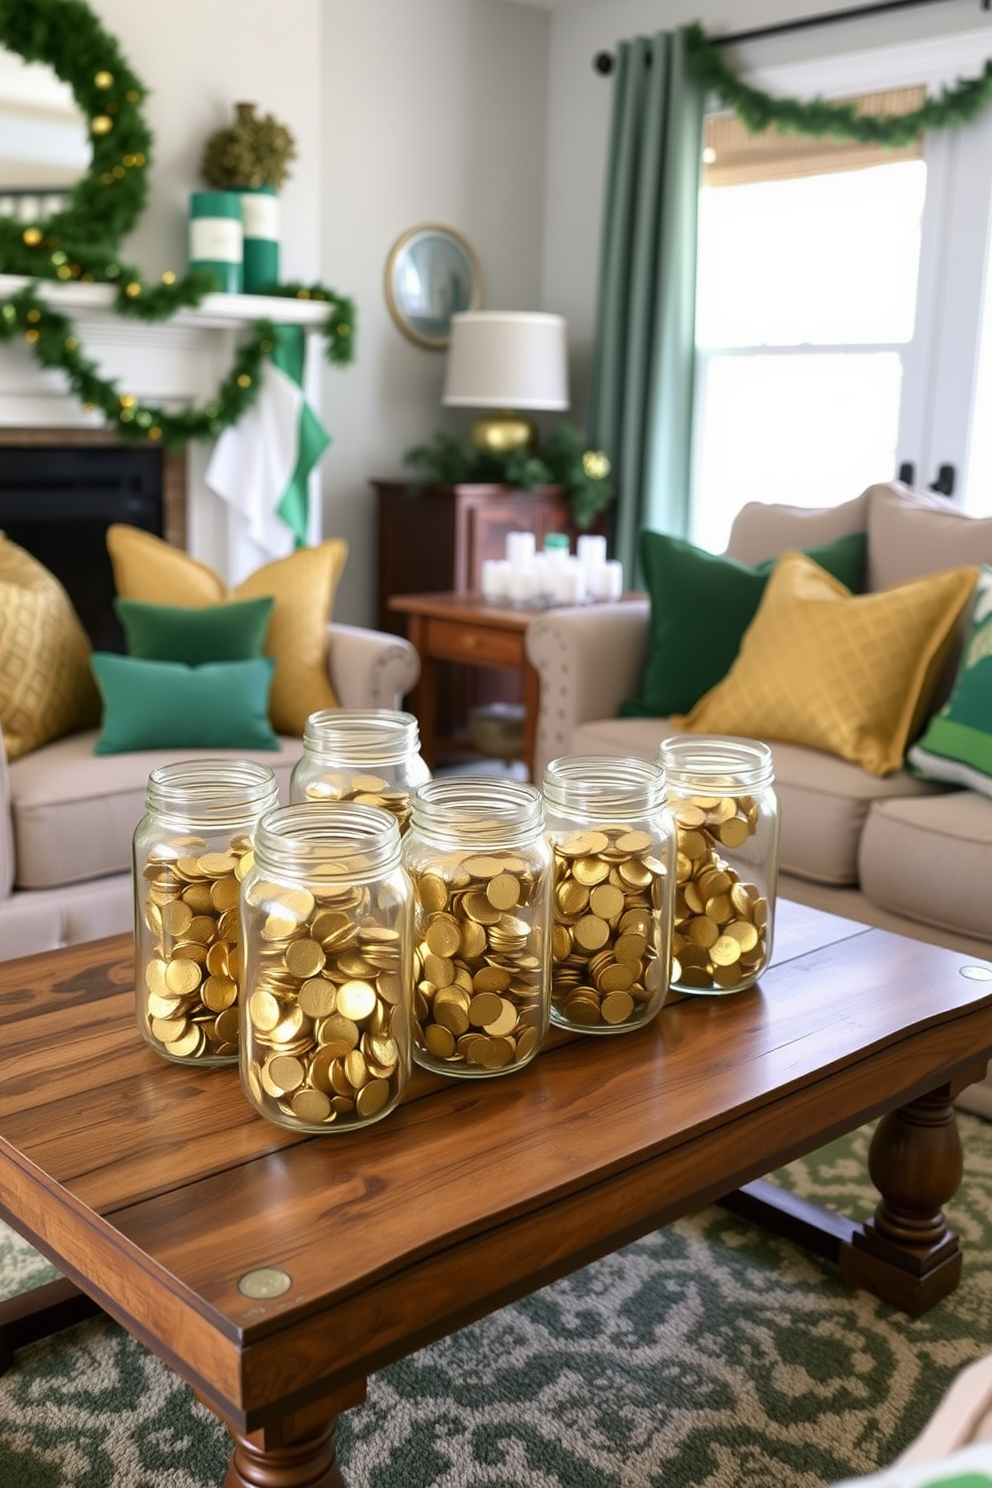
x,y
721,922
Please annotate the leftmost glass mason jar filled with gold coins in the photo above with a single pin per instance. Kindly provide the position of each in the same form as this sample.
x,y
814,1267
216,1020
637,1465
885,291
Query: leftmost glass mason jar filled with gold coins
x,y
191,852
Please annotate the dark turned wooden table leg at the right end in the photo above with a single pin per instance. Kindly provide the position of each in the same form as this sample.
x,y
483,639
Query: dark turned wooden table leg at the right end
x,y
906,1254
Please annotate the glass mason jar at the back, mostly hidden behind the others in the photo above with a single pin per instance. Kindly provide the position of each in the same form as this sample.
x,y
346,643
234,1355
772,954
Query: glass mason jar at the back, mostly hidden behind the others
x,y
365,755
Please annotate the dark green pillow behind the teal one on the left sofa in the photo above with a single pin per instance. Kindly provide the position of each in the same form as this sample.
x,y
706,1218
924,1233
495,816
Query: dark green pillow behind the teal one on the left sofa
x,y
212,633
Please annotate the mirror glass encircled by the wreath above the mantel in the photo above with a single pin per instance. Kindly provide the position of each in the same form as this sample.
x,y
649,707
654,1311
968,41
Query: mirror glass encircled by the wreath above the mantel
x,y
44,141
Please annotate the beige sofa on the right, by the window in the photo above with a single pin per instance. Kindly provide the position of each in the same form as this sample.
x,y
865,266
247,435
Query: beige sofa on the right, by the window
x,y
895,852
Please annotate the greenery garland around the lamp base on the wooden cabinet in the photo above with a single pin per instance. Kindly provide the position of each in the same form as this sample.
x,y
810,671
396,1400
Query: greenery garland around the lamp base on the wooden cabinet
x,y
561,461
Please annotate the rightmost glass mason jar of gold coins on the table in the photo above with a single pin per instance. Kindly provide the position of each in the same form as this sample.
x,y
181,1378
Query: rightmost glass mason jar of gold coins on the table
x,y
727,821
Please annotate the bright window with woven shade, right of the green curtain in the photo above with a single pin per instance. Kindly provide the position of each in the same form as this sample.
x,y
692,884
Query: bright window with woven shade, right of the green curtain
x,y
807,295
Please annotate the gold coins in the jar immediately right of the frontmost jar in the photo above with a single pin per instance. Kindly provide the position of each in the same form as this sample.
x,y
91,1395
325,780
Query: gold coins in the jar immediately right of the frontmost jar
x,y
480,965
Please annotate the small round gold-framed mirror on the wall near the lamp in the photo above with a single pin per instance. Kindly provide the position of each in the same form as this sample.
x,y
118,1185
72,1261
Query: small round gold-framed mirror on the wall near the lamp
x,y
431,276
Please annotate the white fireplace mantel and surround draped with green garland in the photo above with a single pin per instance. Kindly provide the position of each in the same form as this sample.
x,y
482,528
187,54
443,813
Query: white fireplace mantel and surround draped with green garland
x,y
175,364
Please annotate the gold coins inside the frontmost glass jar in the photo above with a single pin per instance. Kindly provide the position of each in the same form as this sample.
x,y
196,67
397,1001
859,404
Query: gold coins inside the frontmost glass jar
x,y
326,1039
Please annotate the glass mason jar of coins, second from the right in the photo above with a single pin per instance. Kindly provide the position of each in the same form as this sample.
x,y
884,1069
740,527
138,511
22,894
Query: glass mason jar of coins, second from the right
x,y
613,850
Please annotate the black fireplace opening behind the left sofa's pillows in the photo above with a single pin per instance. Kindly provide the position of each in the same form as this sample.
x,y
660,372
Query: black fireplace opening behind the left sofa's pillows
x,y
59,502
